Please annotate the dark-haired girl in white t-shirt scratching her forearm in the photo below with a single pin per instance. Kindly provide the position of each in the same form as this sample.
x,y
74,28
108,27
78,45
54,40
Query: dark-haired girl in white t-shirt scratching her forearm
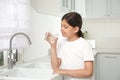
x,y
71,56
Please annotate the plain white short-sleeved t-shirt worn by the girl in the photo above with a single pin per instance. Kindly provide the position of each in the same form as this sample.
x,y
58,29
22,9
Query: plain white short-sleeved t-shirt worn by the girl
x,y
73,54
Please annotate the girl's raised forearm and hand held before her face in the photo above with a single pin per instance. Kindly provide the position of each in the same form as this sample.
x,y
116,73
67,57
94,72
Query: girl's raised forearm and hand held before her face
x,y
52,40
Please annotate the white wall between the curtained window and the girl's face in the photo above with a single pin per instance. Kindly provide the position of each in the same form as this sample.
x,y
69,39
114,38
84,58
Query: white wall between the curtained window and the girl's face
x,y
40,23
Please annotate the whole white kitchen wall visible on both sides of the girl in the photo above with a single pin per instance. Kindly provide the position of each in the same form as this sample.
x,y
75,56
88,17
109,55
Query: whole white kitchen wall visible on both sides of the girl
x,y
104,31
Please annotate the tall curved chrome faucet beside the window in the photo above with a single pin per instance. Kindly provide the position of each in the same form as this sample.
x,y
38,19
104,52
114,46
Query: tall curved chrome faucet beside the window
x,y
10,55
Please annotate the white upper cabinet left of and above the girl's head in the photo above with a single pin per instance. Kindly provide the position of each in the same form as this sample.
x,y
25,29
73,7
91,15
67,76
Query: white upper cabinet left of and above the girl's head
x,y
53,7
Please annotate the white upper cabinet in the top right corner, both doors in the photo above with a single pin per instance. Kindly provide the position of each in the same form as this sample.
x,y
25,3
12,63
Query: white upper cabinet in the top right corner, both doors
x,y
103,8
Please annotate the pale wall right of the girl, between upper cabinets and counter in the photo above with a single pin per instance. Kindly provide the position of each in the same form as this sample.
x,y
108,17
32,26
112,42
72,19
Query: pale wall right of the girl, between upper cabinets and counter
x,y
106,32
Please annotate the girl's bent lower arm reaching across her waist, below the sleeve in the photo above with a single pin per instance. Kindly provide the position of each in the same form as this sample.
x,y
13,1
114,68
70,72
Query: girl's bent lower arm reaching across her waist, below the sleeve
x,y
81,73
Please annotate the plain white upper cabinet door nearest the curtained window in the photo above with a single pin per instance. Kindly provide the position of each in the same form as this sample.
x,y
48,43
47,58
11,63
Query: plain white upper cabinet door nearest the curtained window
x,y
52,7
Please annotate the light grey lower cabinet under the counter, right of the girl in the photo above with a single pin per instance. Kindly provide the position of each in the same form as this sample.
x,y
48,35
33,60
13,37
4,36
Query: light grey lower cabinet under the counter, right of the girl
x,y
107,66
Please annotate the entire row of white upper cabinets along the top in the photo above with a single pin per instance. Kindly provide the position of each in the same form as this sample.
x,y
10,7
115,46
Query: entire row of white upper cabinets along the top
x,y
87,8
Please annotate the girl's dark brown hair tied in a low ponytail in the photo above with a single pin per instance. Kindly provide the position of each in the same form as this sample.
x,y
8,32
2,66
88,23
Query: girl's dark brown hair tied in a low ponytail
x,y
74,19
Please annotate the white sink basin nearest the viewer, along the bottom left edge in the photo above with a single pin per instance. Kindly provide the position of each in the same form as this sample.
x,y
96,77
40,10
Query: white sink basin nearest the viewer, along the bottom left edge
x,y
31,74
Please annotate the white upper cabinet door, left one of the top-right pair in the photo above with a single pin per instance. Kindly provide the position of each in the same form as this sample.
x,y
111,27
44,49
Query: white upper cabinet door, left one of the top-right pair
x,y
97,8
